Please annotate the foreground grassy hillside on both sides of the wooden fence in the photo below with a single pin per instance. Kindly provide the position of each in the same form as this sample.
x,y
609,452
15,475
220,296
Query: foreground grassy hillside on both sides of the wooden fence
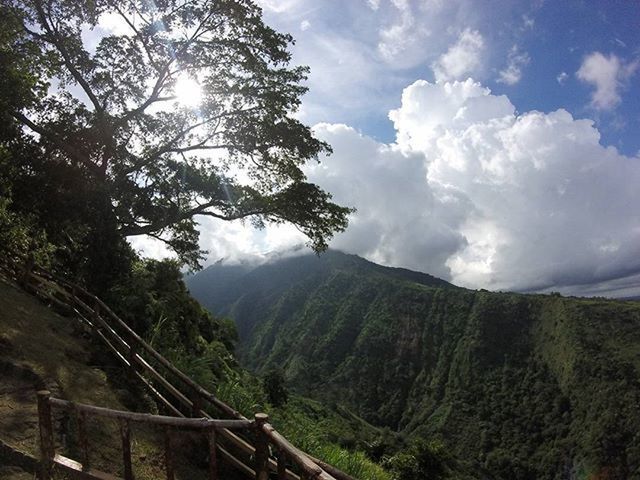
x,y
43,350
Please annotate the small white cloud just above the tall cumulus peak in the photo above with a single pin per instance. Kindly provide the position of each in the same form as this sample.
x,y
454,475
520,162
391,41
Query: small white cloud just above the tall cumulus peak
x,y
462,59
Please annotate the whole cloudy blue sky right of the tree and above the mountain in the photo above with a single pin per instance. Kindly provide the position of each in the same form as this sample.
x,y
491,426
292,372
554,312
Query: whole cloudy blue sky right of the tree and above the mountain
x,y
493,144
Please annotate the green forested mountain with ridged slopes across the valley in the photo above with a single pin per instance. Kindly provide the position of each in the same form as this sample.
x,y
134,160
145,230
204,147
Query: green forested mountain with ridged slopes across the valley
x,y
517,386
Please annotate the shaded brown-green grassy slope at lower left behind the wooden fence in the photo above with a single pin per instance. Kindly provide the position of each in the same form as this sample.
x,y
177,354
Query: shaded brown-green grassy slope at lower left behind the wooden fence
x,y
39,348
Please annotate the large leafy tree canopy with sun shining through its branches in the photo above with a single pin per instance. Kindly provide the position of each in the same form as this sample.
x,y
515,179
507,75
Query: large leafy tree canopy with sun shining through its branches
x,y
111,110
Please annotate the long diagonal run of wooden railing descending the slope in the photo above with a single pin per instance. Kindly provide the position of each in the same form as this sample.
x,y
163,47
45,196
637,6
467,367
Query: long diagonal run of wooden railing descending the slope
x,y
176,392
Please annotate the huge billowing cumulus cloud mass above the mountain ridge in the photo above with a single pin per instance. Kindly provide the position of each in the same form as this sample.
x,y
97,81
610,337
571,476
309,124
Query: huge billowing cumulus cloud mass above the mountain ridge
x,y
473,192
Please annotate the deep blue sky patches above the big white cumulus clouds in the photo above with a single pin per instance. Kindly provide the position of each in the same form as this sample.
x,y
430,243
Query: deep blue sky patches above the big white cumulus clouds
x,y
552,37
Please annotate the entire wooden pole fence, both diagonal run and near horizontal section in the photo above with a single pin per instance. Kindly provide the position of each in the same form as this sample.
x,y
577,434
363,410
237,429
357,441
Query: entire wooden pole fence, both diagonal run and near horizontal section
x,y
174,391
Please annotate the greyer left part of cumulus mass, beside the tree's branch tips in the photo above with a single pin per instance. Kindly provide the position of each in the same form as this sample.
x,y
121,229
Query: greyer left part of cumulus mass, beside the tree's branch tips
x,y
399,218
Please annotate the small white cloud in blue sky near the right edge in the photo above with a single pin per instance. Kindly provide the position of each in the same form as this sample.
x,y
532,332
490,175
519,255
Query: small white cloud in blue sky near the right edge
x,y
608,75
